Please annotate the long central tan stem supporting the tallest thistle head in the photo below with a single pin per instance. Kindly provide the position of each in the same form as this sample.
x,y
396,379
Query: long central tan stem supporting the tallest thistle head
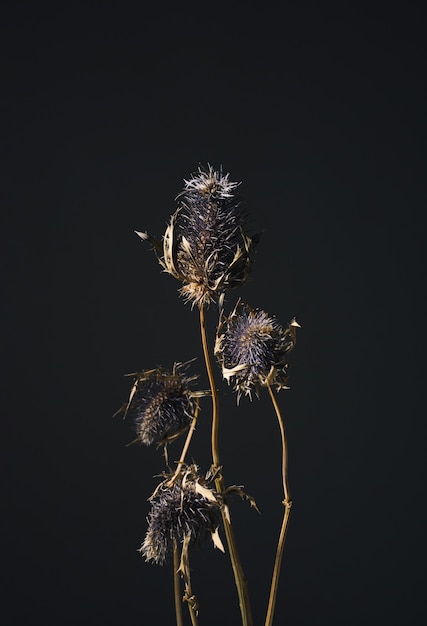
x,y
239,577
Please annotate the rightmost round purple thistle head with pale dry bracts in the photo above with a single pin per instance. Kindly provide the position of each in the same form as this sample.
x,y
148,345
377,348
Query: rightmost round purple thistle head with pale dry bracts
x,y
251,348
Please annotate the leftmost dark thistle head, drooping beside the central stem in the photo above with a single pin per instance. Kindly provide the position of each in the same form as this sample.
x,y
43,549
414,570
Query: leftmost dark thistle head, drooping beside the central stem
x,y
161,403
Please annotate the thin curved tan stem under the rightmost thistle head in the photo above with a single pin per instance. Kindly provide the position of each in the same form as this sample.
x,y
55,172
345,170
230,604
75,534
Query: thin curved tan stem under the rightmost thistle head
x,y
287,504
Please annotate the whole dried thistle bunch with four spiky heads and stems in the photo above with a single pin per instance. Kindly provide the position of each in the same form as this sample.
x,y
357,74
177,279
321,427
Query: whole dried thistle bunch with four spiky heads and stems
x,y
206,246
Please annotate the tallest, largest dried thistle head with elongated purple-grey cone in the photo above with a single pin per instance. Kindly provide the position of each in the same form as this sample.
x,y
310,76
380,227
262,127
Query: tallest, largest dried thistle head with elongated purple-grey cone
x,y
205,244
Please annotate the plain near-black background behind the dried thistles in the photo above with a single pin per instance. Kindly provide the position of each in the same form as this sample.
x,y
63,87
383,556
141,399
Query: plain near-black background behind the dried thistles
x,y
320,111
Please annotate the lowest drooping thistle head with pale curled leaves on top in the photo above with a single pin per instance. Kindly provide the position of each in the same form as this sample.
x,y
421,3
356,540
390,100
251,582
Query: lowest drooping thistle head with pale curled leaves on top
x,y
185,513
